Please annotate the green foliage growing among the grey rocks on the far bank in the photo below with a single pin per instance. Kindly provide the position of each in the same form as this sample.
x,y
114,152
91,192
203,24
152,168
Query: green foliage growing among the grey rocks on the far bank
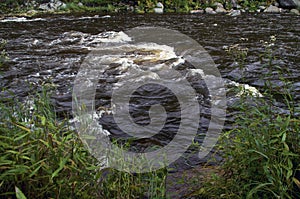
x,y
141,6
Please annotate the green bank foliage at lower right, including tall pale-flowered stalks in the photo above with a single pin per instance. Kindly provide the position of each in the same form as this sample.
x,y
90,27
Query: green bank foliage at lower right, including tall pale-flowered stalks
x,y
262,154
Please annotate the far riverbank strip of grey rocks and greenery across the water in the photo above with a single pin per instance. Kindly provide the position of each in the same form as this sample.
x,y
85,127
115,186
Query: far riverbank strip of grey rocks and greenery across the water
x,y
233,8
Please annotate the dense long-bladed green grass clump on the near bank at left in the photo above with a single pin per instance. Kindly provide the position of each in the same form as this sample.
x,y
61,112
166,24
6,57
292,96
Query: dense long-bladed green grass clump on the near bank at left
x,y
42,156
